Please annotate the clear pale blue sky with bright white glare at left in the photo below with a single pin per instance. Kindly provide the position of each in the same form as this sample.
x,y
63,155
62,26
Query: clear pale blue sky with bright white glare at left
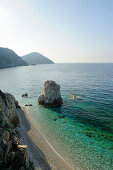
x,y
66,31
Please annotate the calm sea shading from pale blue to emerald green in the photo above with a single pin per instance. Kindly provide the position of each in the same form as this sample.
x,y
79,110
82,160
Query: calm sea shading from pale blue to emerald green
x,y
84,137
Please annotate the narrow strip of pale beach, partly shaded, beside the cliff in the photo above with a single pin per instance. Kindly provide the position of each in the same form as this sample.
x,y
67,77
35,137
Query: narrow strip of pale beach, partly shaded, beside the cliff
x,y
41,152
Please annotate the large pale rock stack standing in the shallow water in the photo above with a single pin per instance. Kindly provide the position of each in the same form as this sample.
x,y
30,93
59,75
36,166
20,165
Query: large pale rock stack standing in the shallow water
x,y
50,96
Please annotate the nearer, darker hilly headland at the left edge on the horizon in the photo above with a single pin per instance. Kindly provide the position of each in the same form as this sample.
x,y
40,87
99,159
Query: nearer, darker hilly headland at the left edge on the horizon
x,y
9,58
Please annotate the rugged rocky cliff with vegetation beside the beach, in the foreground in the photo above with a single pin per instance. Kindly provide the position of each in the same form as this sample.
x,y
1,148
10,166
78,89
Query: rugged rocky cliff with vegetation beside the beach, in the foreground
x,y
13,155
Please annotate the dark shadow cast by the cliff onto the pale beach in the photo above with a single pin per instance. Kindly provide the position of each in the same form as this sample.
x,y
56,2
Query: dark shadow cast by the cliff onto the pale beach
x,y
38,157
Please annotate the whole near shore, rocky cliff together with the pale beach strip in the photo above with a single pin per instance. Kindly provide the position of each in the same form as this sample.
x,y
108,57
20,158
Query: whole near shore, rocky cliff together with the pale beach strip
x,y
22,146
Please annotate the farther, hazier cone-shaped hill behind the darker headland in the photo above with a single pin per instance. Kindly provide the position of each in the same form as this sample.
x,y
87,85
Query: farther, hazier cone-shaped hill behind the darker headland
x,y
36,58
